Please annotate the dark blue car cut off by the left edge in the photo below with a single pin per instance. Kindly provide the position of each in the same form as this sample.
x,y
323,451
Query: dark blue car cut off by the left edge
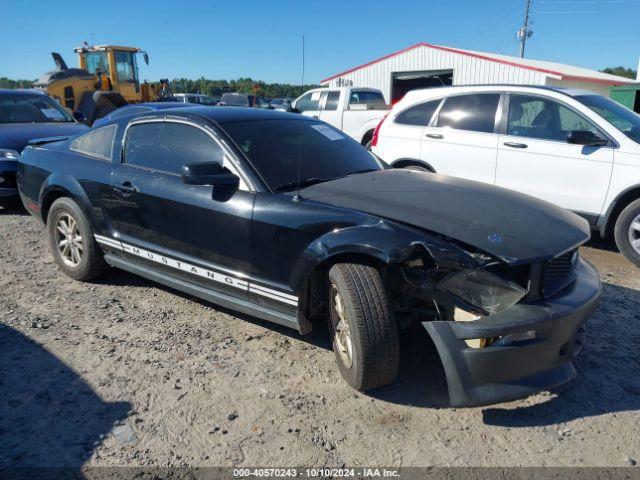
x,y
24,116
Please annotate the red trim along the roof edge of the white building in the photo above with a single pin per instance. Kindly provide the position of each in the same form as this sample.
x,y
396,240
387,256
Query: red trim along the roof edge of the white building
x,y
488,57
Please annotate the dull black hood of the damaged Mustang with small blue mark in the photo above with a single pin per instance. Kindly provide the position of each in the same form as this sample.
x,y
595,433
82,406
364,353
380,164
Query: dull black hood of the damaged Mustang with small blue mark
x,y
512,226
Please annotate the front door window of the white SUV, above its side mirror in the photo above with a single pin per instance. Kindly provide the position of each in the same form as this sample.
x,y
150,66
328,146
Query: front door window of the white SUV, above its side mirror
x,y
546,119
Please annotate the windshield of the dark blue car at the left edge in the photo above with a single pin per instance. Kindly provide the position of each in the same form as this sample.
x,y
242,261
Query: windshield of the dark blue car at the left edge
x,y
36,108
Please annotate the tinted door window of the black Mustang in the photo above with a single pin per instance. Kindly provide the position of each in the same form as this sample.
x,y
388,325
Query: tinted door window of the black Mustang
x,y
167,146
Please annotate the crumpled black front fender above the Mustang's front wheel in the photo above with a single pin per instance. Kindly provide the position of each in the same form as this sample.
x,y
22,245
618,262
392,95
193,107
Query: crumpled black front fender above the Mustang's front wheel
x,y
380,243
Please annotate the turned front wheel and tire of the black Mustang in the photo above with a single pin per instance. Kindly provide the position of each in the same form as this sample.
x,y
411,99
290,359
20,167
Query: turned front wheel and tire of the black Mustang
x,y
363,327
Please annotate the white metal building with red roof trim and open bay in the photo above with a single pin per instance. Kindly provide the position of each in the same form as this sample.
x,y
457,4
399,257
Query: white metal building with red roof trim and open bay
x,y
425,65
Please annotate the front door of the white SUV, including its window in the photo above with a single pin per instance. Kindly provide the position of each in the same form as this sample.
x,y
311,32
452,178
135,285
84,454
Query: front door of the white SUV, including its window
x,y
534,156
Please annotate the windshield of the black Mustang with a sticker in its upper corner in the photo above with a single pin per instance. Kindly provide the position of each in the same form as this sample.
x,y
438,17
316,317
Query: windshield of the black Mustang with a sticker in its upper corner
x,y
272,146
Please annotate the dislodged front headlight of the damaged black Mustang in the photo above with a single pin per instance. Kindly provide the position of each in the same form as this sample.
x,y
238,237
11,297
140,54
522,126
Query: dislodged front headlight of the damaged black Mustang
x,y
482,290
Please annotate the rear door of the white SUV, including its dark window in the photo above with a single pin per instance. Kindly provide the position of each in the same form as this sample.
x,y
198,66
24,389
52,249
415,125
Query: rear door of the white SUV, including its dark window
x,y
462,140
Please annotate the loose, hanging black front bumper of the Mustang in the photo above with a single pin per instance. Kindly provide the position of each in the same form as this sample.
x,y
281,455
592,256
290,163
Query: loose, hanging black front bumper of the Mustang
x,y
498,372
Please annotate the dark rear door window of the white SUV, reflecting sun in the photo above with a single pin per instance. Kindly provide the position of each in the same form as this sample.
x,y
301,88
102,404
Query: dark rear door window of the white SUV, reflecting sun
x,y
476,112
